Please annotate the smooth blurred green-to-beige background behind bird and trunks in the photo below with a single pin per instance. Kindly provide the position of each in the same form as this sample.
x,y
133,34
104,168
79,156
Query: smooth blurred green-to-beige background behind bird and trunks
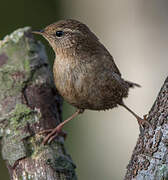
x,y
136,33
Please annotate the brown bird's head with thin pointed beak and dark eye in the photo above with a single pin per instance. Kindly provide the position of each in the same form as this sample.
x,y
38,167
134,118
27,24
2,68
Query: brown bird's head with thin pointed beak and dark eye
x,y
67,35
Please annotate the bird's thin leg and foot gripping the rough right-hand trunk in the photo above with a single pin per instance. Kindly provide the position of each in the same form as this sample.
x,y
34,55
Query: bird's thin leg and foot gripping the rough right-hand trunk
x,y
141,121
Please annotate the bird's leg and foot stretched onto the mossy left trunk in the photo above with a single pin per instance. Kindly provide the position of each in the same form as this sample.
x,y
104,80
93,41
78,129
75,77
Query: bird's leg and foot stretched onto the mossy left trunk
x,y
58,130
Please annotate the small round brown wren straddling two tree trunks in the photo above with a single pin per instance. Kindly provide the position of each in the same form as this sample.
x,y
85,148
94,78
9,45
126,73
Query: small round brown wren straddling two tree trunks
x,y
85,73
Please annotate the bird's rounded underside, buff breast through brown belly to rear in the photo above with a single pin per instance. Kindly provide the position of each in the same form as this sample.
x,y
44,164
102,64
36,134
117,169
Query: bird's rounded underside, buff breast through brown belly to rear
x,y
85,90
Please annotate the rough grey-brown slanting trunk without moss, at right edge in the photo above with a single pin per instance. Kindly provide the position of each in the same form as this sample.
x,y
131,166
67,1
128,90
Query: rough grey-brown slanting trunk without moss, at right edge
x,y
149,160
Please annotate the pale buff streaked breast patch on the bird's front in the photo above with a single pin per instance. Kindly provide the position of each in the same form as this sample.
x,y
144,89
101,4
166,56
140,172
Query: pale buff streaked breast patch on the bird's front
x,y
70,80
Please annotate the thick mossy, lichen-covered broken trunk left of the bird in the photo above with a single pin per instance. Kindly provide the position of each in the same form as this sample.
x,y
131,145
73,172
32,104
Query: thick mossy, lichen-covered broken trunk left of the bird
x,y
30,103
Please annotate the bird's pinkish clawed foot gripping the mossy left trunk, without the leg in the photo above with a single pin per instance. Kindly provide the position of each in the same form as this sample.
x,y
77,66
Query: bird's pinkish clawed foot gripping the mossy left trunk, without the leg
x,y
53,133
